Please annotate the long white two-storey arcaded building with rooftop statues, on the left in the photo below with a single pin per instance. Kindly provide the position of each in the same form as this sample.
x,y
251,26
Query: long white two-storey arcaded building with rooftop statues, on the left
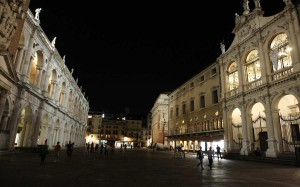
x,y
40,100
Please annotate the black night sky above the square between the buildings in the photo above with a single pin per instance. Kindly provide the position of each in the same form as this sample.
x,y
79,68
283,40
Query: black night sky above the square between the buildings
x,y
126,54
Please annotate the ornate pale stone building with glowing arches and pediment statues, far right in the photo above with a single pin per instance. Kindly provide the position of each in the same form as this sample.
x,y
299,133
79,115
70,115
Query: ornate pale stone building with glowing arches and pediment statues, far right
x,y
261,83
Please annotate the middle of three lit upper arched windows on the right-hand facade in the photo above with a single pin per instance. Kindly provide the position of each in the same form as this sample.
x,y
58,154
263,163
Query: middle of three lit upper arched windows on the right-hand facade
x,y
253,71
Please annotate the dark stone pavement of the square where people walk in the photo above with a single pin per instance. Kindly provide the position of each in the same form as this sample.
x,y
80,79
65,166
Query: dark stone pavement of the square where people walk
x,y
139,167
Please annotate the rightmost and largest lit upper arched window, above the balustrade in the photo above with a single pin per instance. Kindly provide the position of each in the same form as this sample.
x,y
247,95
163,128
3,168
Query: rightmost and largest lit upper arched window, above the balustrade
x,y
280,52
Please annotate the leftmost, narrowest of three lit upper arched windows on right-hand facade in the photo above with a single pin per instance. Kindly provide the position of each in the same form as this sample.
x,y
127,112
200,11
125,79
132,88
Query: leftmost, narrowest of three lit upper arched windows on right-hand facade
x,y
232,76
